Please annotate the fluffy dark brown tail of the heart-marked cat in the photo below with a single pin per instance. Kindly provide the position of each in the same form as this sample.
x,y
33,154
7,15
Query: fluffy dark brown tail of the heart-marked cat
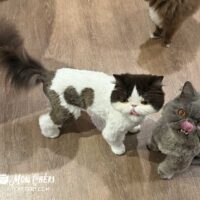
x,y
22,71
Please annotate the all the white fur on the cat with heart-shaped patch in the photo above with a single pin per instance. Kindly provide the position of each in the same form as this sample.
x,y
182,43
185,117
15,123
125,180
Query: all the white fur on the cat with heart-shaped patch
x,y
114,120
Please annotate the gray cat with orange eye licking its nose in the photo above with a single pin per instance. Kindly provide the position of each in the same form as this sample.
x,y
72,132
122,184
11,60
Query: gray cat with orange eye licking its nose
x,y
177,133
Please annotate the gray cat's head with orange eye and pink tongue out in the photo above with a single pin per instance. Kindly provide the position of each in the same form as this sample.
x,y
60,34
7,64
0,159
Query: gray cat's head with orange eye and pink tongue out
x,y
183,113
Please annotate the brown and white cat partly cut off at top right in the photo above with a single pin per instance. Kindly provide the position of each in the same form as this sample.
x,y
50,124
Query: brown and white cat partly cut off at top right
x,y
168,15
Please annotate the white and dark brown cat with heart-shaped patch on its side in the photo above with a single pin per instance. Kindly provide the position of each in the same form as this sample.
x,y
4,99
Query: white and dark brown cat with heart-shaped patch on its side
x,y
116,104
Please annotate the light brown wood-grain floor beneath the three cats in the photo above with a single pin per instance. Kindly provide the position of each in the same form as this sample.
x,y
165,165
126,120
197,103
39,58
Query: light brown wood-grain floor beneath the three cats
x,y
106,35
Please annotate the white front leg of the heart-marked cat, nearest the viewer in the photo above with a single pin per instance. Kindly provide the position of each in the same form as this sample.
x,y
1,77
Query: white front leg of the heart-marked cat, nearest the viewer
x,y
114,139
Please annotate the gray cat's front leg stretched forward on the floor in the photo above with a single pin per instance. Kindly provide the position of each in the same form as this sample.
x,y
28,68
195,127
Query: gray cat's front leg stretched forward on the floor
x,y
172,165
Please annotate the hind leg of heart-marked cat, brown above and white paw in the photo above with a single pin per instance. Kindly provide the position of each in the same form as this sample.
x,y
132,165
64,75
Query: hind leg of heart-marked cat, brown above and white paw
x,y
50,123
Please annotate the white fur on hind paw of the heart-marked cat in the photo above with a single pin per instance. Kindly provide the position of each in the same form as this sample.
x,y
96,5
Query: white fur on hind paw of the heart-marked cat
x,y
48,128
